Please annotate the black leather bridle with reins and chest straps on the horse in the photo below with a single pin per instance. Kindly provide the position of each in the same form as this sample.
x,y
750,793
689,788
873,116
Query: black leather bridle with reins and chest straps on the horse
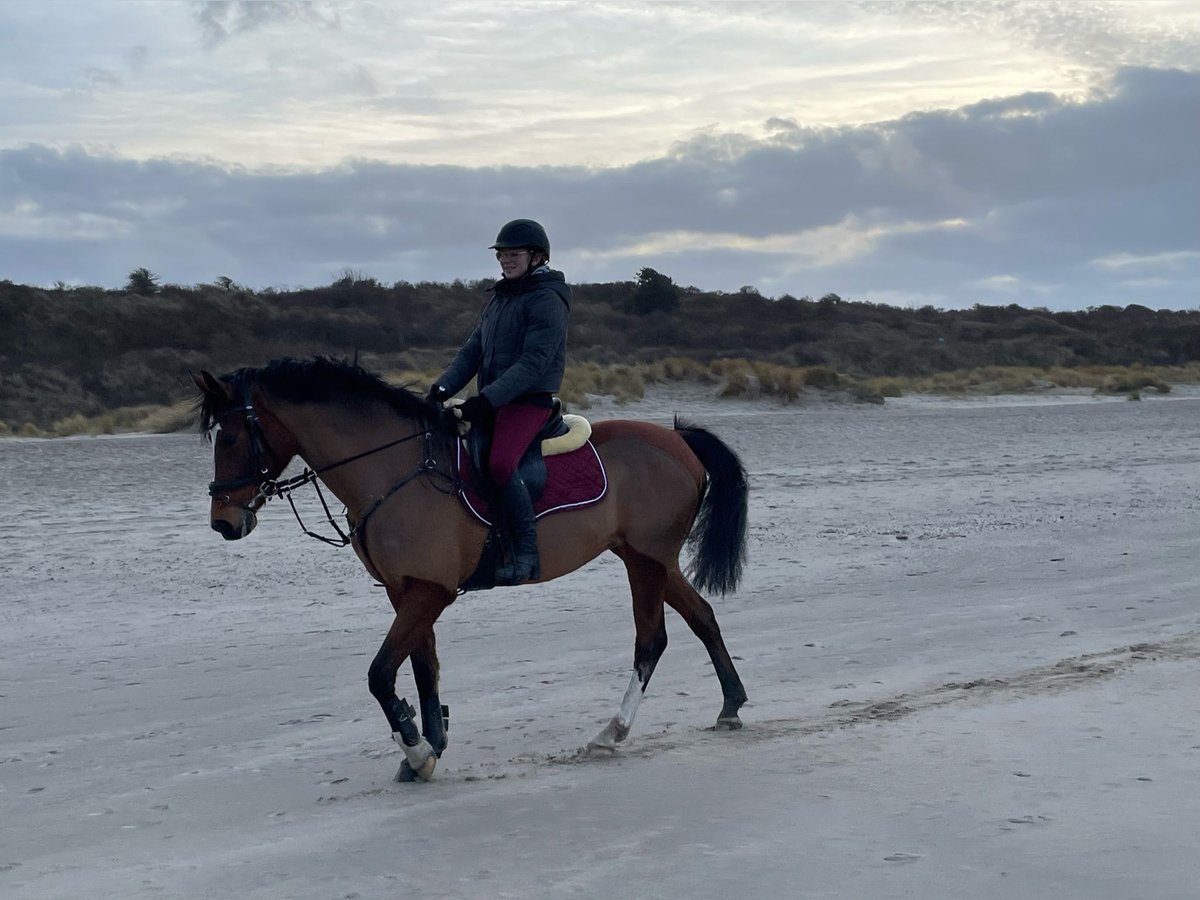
x,y
261,458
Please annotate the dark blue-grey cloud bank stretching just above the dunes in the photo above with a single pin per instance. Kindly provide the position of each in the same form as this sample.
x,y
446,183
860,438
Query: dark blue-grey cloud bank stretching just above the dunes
x,y
1031,199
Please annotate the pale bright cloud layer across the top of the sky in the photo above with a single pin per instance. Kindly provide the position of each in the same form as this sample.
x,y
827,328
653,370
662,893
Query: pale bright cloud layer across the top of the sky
x,y
531,83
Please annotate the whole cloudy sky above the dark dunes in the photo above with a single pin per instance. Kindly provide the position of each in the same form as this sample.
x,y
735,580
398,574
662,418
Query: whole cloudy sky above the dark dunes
x,y
946,154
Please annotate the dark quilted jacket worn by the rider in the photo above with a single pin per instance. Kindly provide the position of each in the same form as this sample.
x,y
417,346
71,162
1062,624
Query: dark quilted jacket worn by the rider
x,y
519,349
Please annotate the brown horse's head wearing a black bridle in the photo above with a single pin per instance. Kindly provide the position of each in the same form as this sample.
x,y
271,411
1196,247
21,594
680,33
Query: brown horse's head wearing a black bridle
x,y
250,449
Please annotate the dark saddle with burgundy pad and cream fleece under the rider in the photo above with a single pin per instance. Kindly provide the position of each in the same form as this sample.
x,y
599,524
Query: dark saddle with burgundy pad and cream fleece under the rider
x,y
561,469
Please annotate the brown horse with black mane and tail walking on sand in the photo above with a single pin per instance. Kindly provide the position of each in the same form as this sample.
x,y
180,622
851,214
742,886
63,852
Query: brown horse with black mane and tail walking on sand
x,y
388,455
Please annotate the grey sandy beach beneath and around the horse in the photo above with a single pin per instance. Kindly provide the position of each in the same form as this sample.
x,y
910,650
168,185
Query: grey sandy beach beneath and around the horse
x,y
969,629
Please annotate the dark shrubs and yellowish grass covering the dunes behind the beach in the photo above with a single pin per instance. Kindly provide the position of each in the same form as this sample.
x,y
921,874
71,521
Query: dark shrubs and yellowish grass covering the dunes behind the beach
x,y
92,361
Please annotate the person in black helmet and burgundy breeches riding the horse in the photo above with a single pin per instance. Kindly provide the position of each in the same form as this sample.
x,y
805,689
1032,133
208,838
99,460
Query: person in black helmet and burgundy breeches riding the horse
x,y
518,353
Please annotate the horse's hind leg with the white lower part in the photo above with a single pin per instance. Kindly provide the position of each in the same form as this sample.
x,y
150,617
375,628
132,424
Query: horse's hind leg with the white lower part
x,y
647,581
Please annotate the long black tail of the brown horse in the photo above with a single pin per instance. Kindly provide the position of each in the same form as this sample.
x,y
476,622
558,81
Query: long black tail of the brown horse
x,y
719,535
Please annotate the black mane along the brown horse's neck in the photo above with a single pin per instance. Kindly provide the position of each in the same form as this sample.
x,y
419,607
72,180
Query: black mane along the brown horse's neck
x,y
321,380
